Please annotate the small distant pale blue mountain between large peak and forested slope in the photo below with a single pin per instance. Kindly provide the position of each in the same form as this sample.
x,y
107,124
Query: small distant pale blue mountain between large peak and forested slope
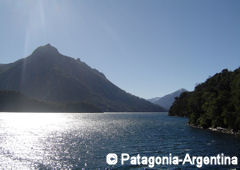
x,y
167,100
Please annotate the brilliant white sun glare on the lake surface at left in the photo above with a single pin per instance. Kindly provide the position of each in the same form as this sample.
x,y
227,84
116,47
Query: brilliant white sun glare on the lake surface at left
x,y
23,137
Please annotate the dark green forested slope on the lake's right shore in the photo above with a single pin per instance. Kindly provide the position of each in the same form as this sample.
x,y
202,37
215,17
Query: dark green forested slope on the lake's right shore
x,y
214,103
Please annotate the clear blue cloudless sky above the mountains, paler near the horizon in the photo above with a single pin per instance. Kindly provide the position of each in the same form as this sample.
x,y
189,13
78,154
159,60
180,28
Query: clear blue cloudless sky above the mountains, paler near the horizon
x,y
146,47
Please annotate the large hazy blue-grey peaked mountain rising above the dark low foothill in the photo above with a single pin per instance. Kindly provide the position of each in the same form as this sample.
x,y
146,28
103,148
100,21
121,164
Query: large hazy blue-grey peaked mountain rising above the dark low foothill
x,y
47,75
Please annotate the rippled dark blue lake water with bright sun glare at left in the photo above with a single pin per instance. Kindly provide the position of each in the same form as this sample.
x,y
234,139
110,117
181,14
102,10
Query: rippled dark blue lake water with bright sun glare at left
x,y
82,140
